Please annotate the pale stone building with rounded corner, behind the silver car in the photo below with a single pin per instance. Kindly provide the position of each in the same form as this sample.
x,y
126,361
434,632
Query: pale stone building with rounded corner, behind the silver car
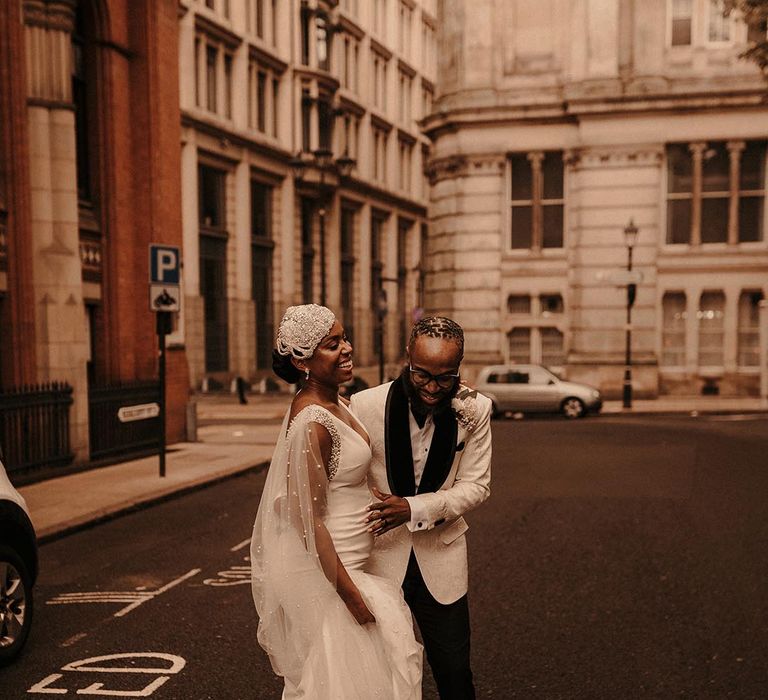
x,y
556,124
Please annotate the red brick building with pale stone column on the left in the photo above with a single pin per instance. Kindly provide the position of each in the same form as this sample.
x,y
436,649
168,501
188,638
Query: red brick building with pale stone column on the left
x,y
89,176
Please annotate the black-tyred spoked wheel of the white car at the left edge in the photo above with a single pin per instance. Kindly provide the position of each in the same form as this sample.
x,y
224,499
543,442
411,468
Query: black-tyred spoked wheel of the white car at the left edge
x,y
15,604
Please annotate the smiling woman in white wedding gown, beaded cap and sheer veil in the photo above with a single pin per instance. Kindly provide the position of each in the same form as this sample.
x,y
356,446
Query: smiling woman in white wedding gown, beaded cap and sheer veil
x,y
331,630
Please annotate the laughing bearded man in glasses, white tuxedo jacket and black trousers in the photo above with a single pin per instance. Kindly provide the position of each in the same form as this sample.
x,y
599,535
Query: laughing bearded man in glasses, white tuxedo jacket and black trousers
x,y
431,442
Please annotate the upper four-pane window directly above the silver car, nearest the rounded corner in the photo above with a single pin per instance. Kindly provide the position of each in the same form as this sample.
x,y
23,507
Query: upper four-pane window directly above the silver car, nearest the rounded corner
x,y
537,200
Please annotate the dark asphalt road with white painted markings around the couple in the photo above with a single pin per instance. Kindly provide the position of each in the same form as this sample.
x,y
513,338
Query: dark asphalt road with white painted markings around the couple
x,y
617,558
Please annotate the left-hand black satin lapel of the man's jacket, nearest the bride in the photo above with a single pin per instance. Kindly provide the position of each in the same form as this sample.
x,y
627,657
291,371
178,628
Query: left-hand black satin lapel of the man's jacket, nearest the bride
x,y
397,442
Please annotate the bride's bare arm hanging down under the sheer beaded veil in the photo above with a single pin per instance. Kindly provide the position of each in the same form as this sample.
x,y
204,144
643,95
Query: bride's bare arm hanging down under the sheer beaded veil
x,y
319,456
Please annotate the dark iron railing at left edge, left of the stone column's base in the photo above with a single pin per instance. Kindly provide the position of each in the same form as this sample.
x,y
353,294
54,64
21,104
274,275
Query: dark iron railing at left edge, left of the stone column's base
x,y
34,426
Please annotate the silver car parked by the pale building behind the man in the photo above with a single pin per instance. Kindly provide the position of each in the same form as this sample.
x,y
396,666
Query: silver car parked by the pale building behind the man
x,y
533,388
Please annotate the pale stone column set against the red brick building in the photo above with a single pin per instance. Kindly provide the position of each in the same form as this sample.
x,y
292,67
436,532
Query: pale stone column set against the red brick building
x,y
62,348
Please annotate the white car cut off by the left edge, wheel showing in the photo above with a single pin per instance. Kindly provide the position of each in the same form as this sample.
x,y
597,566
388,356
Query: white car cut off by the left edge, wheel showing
x,y
18,569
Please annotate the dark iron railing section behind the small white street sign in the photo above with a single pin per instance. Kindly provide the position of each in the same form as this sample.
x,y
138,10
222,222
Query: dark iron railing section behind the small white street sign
x,y
112,438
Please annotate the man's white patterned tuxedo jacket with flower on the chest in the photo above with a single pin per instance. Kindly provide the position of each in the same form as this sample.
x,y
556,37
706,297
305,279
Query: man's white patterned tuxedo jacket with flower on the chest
x,y
456,478
